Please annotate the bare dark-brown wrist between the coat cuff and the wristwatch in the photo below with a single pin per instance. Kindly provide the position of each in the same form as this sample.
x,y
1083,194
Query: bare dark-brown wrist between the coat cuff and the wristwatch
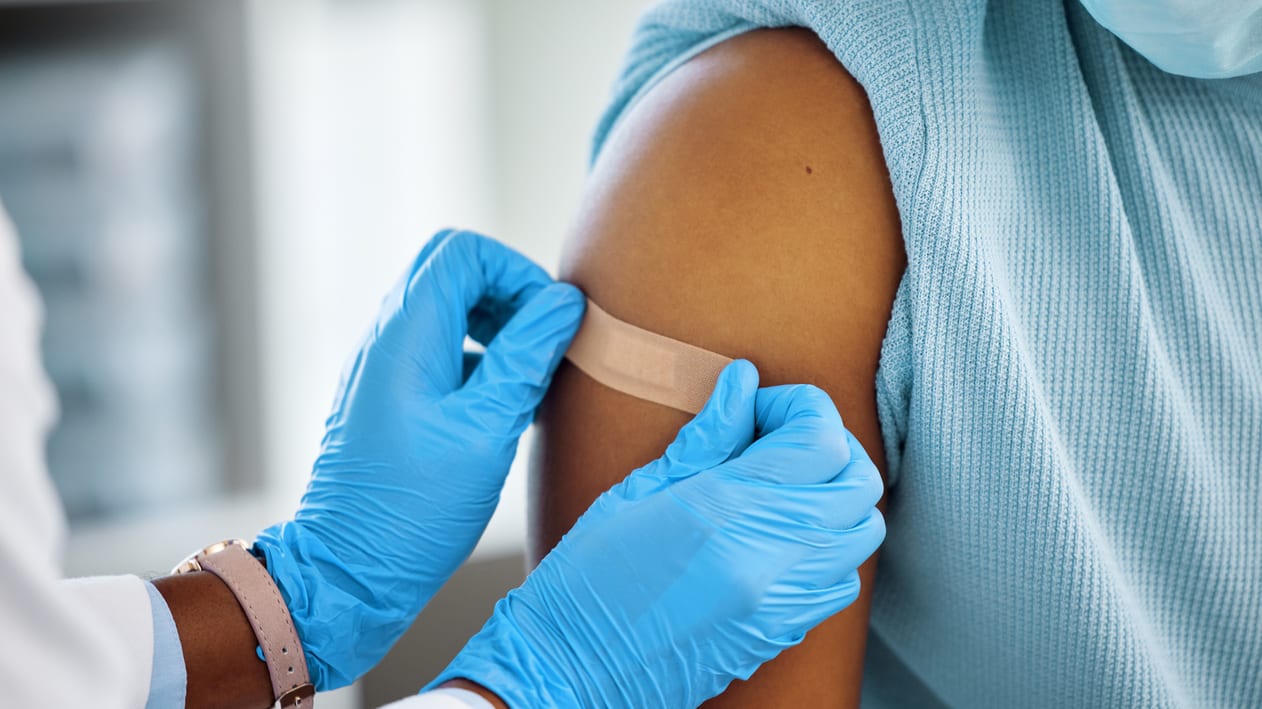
x,y
219,644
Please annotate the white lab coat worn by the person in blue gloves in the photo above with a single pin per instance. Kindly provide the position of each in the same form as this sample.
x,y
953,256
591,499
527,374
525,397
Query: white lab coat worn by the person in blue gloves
x,y
86,643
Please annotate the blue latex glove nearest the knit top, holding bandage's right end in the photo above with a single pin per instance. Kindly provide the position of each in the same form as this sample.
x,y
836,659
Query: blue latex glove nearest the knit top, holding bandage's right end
x,y
696,570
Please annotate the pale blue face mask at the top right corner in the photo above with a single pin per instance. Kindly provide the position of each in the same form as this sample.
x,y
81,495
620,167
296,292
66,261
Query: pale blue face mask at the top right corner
x,y
1196,38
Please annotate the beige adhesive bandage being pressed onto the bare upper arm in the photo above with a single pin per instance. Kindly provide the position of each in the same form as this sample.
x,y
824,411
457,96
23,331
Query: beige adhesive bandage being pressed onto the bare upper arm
x,y
644,364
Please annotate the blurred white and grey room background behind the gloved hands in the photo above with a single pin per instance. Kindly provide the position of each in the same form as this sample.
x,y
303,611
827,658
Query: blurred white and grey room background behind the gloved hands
x,y
213,199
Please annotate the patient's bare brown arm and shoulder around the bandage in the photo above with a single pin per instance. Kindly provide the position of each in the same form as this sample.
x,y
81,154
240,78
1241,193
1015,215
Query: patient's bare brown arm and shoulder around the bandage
x,y
743,206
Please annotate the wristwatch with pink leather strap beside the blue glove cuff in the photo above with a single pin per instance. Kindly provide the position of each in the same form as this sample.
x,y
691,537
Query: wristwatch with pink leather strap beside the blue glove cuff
x,y
259,597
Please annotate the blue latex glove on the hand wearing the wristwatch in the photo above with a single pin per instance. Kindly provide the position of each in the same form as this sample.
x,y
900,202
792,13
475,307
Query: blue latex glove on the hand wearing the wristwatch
x,y
415,456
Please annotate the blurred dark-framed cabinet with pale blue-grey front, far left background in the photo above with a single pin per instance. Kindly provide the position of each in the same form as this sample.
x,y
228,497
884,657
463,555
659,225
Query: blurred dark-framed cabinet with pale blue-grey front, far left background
x,y
104,137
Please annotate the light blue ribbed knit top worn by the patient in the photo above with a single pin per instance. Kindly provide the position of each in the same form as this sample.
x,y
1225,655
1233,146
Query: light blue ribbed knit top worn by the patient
x,y
1071,388
